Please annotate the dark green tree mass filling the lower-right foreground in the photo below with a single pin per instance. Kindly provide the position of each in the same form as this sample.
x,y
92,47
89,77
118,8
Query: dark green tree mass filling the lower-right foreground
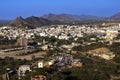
x,y
91,71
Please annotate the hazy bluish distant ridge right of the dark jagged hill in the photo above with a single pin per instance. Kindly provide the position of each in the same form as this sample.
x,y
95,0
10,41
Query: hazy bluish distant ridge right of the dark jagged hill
x,y
70,17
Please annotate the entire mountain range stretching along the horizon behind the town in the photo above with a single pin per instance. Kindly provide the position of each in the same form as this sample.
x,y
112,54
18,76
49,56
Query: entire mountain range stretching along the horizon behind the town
x,y
59,19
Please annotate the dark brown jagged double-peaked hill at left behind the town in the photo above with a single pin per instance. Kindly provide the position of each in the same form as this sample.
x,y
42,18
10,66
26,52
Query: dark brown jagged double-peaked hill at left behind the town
x,y
30,22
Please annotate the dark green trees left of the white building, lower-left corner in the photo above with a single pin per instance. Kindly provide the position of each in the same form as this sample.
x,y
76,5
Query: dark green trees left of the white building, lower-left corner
x,y
12,65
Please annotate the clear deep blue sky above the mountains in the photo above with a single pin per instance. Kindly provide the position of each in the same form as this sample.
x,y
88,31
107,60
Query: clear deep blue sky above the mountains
x,y
10,9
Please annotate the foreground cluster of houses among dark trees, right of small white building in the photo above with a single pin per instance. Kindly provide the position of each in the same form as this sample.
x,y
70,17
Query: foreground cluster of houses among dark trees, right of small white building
x,y
65,61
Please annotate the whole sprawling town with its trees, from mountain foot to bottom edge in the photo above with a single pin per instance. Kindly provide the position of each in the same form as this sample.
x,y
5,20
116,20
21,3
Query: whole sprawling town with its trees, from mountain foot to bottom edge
x,y
56,51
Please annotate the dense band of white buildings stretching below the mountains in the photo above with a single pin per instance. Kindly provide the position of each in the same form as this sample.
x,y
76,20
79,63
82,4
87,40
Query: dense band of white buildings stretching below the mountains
x,y
61,32
